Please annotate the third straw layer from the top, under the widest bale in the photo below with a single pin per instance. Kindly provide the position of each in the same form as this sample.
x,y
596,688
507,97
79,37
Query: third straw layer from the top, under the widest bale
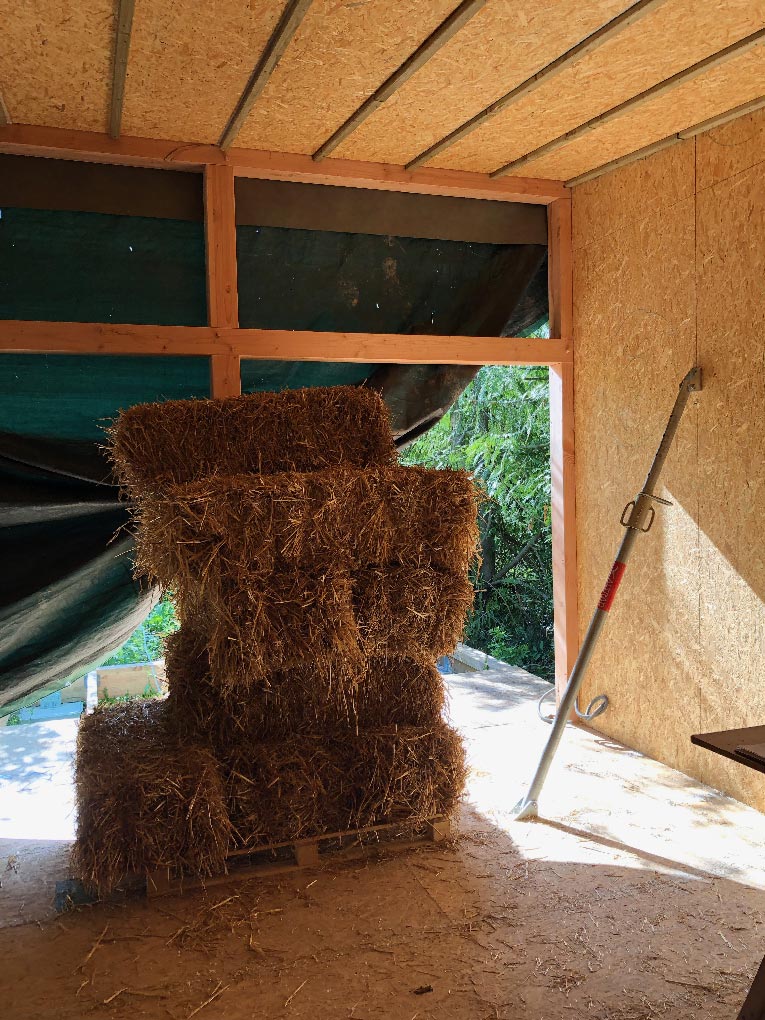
x,y
270,623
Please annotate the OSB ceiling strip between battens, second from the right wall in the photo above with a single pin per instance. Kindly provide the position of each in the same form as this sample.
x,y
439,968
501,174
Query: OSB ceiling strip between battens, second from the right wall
x,y
666,42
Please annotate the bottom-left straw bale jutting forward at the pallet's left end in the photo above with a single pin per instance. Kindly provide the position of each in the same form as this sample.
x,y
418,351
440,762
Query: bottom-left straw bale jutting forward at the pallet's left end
x,y
145,800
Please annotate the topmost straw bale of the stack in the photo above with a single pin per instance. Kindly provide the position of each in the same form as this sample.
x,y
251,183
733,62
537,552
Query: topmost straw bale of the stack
x,y
156,445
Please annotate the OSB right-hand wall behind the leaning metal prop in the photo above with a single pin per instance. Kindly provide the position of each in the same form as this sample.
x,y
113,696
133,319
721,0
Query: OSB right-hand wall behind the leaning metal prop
x,y
665,278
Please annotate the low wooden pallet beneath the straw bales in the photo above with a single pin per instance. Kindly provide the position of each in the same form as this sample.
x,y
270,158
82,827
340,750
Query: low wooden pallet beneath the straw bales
x,y
277,858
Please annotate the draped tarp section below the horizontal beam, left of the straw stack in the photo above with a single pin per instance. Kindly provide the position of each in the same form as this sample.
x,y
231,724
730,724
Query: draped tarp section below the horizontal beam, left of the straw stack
x,y
68,596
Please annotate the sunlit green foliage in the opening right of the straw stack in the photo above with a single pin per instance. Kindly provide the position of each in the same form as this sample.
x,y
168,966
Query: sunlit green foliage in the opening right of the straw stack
x,y
499,430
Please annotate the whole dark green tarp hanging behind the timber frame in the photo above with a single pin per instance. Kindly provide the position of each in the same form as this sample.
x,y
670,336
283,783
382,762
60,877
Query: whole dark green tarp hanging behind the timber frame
x,y
68,597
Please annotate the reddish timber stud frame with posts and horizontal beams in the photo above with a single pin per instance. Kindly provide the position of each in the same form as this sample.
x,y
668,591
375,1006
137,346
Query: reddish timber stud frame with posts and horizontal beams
x,y
226,343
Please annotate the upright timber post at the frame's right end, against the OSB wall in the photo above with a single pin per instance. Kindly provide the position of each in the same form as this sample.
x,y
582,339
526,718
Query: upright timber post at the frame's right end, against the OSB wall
x,y
563,445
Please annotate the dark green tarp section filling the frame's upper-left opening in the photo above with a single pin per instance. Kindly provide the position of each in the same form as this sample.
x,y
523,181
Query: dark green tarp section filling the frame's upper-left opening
x,y
94,268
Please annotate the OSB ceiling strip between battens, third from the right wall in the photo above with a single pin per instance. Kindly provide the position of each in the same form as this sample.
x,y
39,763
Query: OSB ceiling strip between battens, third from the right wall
x,y
500,47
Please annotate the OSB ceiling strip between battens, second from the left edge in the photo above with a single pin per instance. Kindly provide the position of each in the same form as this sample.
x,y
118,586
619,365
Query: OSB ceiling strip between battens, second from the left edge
x,y
190,63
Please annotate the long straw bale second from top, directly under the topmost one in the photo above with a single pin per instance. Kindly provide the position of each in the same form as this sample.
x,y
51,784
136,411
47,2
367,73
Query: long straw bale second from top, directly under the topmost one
x,y
195,535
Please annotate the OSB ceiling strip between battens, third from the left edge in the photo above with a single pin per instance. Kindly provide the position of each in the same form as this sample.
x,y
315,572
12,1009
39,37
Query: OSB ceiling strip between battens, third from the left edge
x,y
342,54
